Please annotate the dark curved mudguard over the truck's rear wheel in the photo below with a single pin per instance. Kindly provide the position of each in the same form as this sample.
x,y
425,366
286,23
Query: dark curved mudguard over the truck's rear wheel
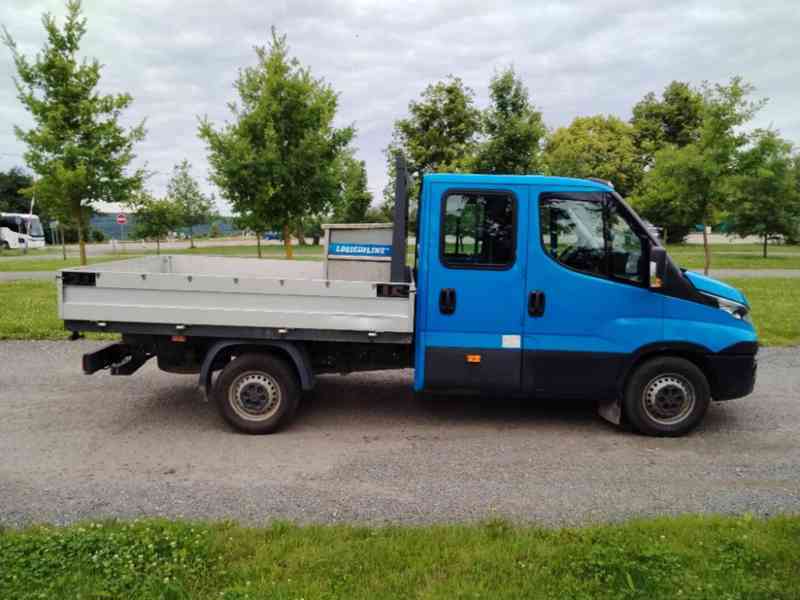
x,y
219,353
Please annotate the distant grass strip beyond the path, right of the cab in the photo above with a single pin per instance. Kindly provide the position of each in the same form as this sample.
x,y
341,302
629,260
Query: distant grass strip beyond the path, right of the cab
x,y
736,256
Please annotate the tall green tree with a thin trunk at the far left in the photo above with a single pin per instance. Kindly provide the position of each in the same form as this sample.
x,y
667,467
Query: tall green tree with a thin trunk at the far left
x,y
77,147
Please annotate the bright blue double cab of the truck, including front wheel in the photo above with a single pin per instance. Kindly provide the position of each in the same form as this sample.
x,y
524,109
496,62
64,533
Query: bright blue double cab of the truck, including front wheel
x,y
552,287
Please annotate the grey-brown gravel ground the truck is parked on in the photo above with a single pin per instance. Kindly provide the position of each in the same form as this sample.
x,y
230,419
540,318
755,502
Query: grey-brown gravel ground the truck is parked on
x,y
74,447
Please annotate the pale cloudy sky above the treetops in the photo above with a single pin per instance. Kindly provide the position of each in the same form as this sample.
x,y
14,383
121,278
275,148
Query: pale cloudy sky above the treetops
x,y
179,59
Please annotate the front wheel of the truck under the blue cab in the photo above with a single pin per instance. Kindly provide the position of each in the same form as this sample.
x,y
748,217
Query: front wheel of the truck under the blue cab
x,y
666,396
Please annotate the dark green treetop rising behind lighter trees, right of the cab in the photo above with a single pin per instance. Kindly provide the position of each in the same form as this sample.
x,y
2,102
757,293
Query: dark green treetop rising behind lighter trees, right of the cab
x,y
675,119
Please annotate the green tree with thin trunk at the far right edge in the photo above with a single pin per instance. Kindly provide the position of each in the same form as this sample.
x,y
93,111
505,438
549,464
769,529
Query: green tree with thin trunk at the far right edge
x,y
764,194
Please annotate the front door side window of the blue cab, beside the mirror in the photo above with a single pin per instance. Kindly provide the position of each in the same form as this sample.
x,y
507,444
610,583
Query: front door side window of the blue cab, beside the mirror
x,y
590,236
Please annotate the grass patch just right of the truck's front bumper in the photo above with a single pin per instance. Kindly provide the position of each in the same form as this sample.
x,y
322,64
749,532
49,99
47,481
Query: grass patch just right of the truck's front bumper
x,y
776,308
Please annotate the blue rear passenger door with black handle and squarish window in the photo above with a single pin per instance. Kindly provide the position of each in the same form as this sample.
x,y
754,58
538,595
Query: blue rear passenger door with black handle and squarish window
x,y
476,257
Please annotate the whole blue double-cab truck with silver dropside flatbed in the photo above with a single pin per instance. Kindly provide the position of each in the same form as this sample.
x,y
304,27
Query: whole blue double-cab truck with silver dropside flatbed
x,y
544,287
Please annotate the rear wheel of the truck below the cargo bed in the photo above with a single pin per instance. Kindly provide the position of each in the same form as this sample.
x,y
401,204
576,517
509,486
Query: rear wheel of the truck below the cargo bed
x,y
257,393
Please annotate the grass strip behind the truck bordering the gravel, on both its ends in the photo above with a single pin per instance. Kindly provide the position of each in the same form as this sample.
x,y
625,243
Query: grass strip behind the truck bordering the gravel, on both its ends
x,y
28,310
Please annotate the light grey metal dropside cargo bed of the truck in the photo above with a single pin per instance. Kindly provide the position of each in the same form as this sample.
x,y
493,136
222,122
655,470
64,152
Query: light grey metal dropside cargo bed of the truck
x,y
244,297
